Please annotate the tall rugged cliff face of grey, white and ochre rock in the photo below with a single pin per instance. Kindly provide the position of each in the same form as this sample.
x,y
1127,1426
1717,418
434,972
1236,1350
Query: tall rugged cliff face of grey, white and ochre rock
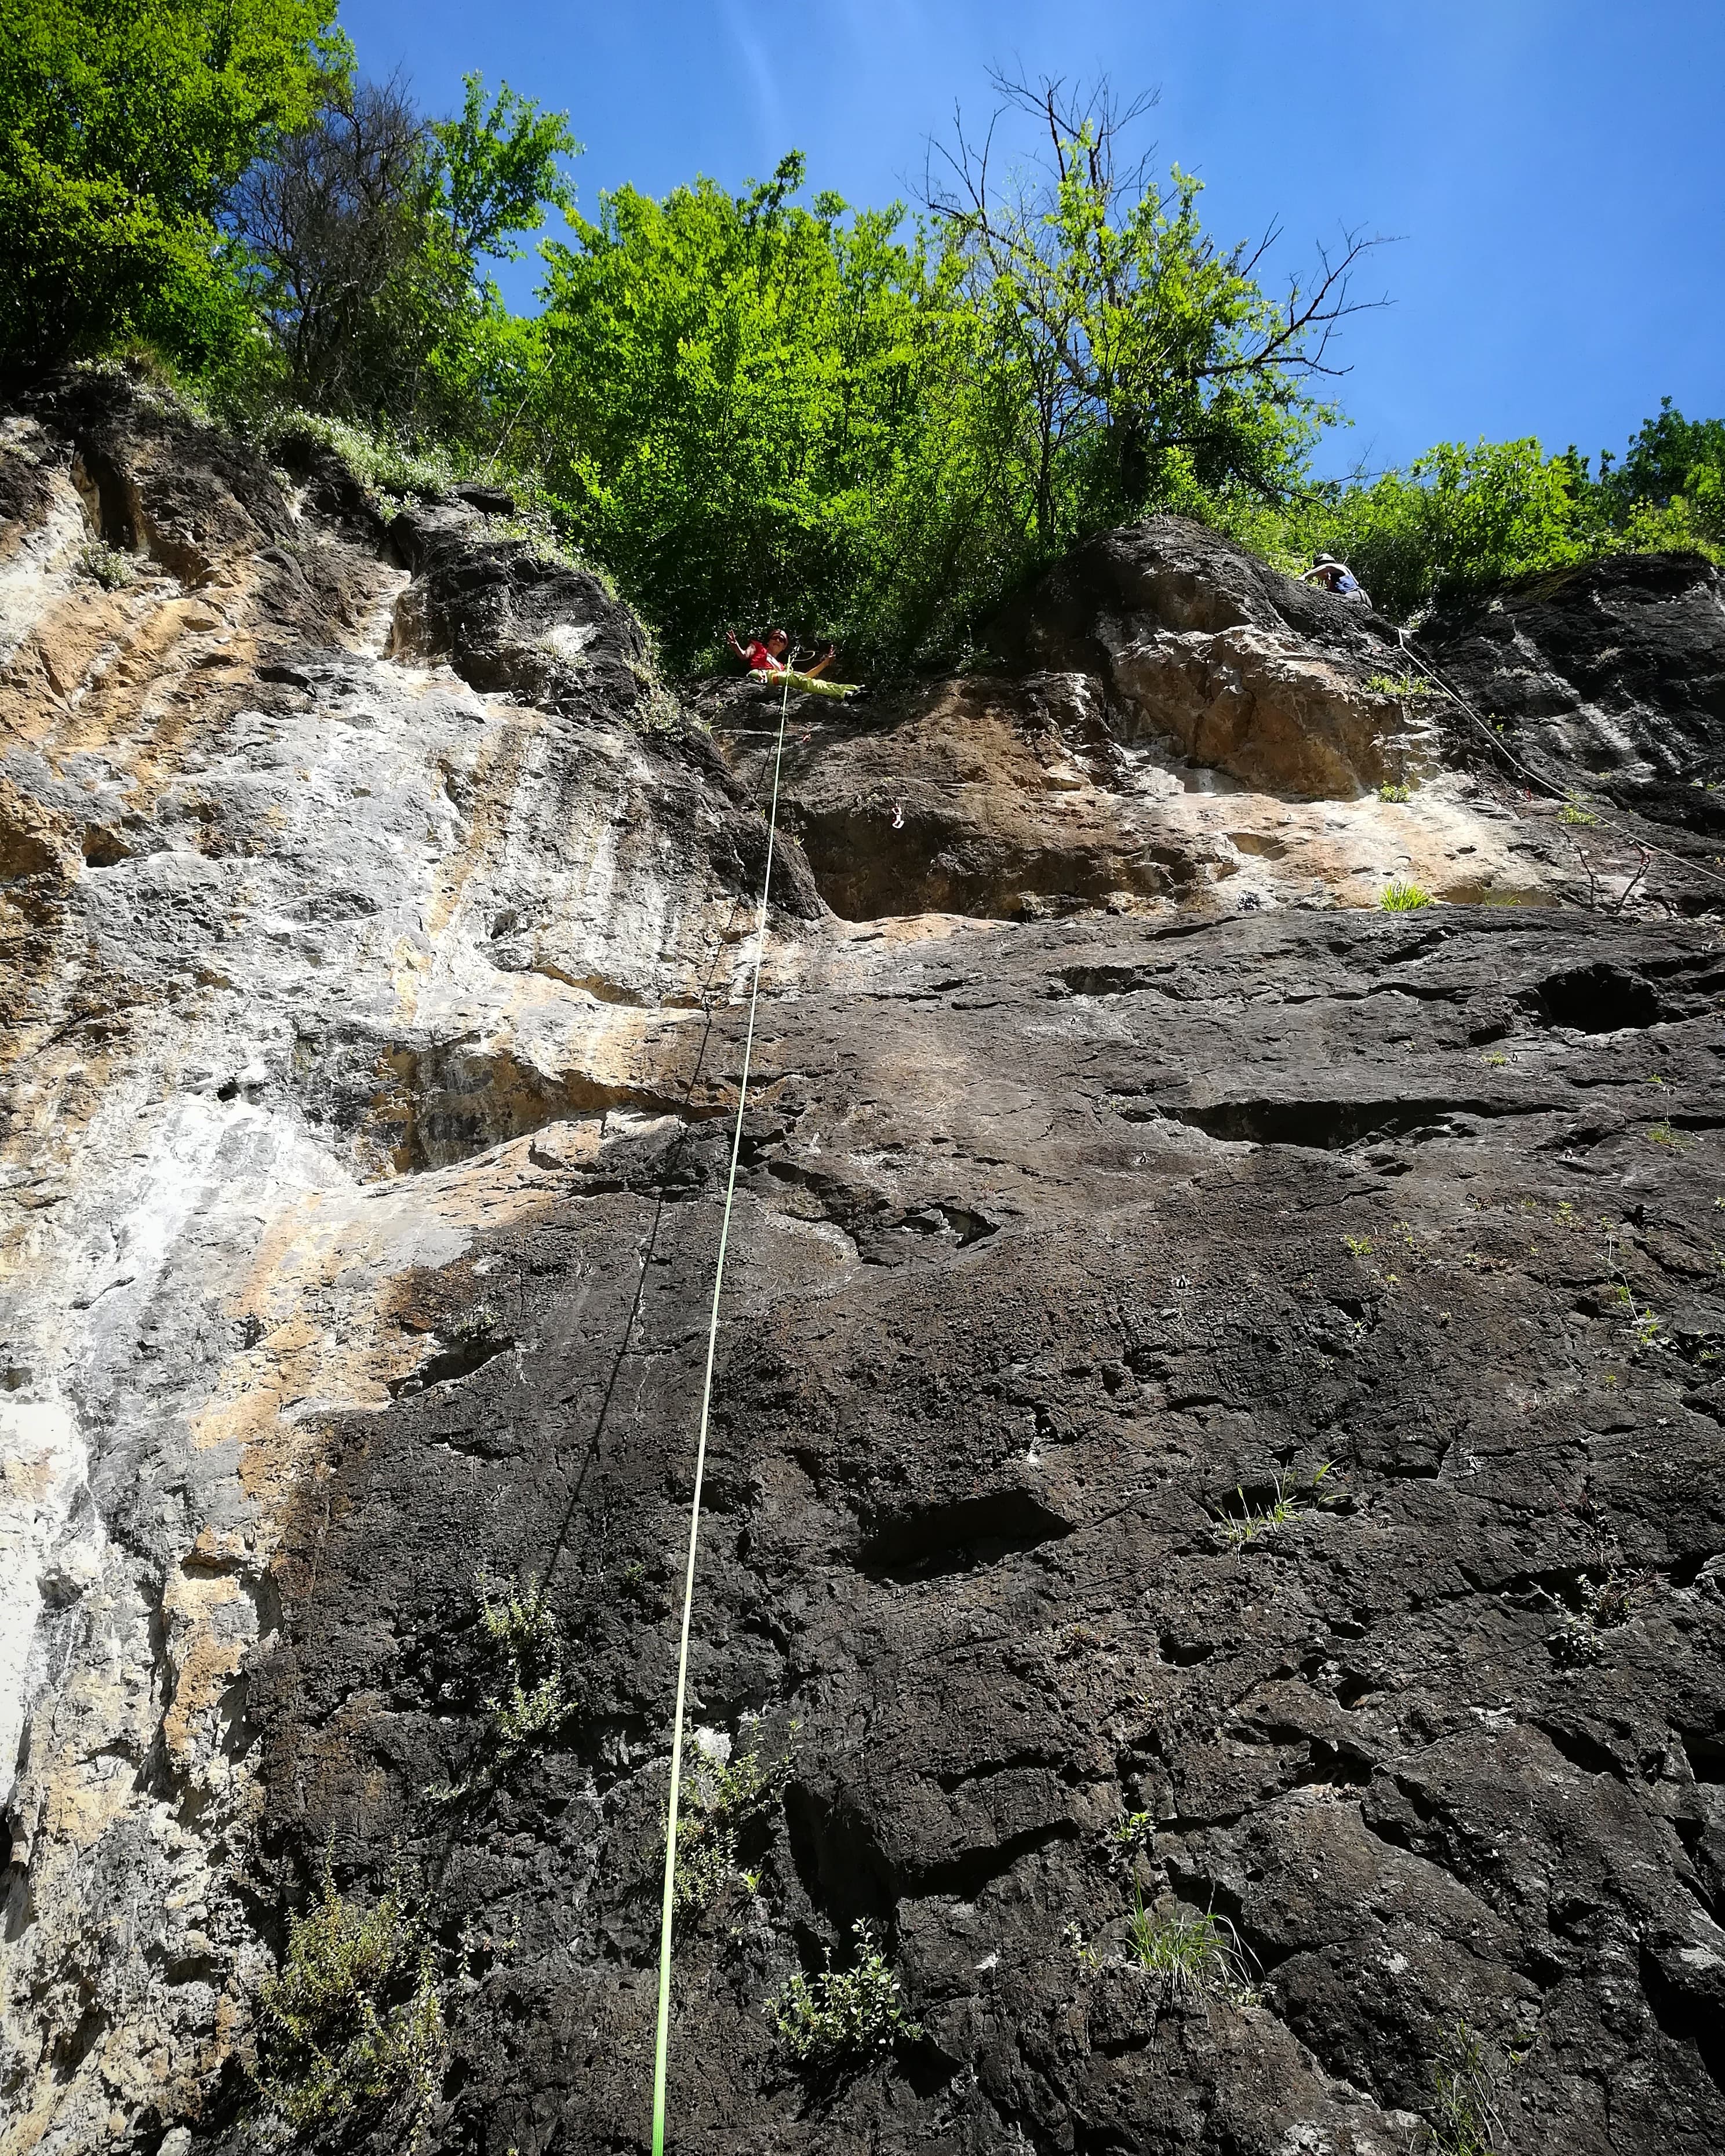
x,y
1219,1405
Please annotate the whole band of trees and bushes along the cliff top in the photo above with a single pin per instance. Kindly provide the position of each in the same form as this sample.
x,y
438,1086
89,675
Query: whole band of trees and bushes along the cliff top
x,y
760,406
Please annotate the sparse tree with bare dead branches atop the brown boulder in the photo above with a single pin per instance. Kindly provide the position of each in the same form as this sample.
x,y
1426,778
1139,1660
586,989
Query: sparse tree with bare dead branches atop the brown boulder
x,y
1133,361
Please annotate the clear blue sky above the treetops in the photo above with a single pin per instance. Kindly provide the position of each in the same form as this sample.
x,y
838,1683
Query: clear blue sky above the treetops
x,y
1551,169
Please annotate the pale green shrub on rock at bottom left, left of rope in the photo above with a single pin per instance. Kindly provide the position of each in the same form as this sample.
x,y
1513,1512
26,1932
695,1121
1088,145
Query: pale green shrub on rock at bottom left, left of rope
x,y
355,2015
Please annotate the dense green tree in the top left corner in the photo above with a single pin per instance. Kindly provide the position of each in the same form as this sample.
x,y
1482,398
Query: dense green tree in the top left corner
x,y
124,124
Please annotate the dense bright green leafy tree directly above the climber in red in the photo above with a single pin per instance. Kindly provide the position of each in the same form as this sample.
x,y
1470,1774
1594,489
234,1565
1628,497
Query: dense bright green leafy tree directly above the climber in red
x,y
736,398
